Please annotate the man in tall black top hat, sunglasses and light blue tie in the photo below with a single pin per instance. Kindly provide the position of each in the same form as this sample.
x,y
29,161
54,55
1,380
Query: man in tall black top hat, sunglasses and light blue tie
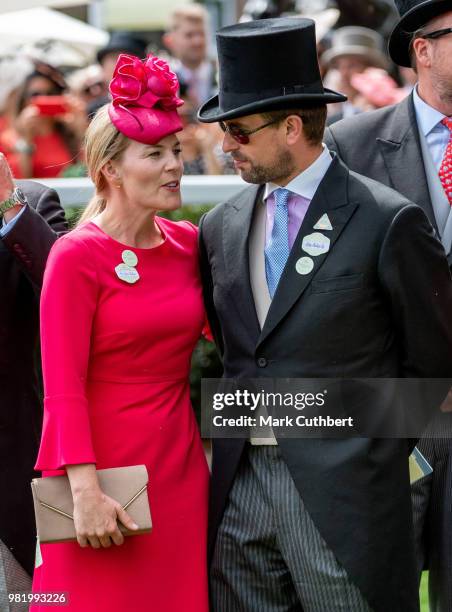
x,y
311,272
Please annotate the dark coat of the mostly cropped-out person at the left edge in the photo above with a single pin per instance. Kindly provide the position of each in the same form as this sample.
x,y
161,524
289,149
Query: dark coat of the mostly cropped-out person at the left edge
x,y
23,254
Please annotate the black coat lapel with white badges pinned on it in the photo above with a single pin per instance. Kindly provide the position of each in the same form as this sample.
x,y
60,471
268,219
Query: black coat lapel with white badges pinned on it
x,y
331,198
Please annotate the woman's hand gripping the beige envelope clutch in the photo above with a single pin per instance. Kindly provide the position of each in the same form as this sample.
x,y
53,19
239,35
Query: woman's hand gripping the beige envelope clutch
x,y
95,519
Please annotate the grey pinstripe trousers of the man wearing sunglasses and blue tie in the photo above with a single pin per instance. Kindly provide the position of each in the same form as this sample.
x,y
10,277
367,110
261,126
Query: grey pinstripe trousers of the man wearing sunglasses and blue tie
x,y
269,556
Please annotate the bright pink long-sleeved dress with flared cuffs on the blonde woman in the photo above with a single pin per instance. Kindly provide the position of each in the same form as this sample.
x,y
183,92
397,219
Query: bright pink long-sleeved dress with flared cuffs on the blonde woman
x,y
116,361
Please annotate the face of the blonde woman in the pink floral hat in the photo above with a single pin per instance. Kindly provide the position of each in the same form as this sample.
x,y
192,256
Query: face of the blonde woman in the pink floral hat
x,y
151,174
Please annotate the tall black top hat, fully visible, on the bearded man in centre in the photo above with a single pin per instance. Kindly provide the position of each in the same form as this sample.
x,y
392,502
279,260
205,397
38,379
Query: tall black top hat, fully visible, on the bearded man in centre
x,y
268,64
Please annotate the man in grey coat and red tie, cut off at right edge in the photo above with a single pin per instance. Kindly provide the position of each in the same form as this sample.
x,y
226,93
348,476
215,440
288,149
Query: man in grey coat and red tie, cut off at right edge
x,y
407,147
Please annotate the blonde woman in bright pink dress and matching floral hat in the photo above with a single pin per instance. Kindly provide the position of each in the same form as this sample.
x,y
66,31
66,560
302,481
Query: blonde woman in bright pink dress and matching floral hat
x,y
116,344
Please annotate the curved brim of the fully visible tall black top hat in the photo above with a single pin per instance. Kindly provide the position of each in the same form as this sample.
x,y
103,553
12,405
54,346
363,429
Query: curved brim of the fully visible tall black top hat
x,y
210,112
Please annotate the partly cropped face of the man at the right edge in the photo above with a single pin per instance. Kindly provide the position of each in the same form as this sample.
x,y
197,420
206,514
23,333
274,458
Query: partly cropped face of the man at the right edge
x,y
440,56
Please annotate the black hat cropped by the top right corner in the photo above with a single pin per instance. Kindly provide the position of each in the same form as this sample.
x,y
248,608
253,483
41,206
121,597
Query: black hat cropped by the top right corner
x,y
414,14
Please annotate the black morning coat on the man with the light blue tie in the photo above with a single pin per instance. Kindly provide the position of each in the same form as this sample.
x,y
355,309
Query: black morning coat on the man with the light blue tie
x,y
377,304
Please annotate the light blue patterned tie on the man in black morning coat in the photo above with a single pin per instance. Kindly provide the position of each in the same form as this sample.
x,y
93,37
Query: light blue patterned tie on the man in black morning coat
x,y
277,250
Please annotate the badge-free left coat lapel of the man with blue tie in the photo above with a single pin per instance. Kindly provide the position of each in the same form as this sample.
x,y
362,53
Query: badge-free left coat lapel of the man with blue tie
x,y
238,216
